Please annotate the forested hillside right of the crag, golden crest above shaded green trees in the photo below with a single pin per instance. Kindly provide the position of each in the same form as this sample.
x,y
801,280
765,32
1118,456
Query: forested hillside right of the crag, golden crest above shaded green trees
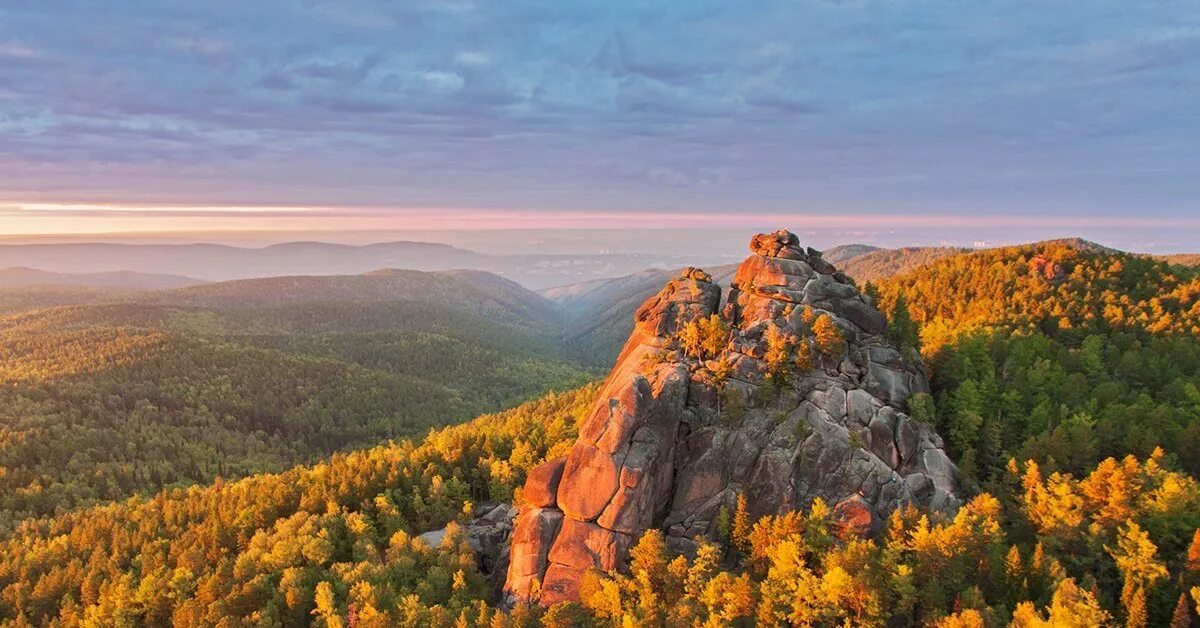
x,y
1055,352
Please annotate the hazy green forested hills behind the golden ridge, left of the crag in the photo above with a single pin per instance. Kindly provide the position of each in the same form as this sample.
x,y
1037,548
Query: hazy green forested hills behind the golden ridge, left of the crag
x,y
101,402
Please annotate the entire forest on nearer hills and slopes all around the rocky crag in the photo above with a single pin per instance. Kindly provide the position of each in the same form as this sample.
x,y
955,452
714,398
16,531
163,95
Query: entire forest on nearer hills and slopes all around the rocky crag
x,y
1065,381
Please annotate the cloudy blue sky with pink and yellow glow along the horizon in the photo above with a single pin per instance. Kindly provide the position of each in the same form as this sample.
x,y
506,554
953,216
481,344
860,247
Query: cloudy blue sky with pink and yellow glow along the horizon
x,y
1048,116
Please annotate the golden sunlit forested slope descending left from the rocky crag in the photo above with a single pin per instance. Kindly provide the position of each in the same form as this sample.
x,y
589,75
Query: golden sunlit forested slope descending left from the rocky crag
x,y
257,551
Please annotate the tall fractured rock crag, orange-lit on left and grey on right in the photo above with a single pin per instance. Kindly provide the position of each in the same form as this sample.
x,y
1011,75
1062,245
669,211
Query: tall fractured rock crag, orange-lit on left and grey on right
x,y
674,435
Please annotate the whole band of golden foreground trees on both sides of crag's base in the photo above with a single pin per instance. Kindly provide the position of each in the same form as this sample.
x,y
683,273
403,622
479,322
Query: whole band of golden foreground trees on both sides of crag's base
x,y
335,545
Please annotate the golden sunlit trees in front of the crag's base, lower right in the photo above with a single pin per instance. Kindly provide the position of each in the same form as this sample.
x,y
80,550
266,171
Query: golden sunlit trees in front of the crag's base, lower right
x,y
1119,546
